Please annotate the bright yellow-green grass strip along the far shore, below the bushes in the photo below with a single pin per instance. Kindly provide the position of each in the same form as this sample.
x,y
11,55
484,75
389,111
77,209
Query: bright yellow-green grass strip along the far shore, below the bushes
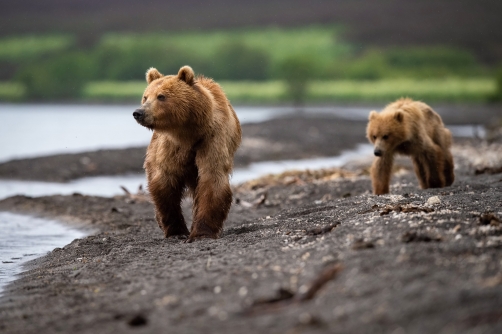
x,y
445,90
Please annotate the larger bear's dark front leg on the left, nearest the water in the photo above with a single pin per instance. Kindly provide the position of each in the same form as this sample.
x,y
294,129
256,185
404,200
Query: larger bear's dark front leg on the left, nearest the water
x,y
166,193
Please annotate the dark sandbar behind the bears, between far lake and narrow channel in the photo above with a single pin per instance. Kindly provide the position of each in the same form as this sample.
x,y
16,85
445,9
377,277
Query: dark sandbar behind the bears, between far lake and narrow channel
x,y
291,136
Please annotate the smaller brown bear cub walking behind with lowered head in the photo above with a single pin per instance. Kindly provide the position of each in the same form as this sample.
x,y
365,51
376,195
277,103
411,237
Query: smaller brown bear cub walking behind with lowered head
x,y
411,128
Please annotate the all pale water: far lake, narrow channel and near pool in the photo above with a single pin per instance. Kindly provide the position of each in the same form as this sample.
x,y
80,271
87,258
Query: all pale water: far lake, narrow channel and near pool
x,y
37,130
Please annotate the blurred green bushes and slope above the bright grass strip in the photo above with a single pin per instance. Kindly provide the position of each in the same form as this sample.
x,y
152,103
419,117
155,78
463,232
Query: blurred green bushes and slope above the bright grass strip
x,y
58,67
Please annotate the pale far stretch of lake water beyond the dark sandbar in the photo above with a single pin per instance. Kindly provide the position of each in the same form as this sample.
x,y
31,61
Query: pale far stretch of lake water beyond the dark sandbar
x,y
37,130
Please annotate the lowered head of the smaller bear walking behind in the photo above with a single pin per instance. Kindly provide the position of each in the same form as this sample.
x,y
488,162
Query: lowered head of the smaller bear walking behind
x,y
386,131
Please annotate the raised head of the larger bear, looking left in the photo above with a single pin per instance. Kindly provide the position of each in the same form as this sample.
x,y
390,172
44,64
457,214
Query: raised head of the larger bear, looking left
x,y
171,102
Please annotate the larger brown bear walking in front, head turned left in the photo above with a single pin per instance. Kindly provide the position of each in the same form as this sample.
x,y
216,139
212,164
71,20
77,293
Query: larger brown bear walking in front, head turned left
x,y
195,135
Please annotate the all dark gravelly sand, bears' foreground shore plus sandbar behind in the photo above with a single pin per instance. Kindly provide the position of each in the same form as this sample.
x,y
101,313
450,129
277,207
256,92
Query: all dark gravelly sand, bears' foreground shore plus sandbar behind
x,y
300,253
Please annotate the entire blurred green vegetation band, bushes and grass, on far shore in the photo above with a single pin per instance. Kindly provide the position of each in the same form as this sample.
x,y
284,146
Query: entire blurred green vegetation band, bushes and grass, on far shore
x,y
255,65
